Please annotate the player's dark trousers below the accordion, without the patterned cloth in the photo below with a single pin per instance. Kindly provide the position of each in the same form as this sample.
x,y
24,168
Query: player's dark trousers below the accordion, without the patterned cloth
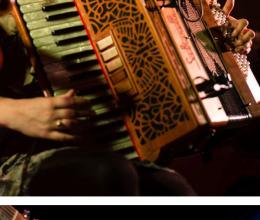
x,y
106,174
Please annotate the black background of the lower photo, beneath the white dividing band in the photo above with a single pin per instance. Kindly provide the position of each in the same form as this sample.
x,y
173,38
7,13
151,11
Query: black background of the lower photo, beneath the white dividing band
x,y
146,212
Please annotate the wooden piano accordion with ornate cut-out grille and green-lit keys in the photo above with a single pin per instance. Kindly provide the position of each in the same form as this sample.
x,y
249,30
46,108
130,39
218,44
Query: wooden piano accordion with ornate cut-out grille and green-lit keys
x,y
169,63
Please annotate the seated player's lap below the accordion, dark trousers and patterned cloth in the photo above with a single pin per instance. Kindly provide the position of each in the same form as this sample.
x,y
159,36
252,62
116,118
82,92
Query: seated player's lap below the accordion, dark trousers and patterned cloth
x,y
72,172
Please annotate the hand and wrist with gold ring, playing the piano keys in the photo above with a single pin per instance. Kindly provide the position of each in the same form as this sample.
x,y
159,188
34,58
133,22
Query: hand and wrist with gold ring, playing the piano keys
x,y
54,118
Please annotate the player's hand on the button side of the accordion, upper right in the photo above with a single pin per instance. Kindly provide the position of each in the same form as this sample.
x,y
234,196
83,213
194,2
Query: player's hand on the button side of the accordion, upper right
x,y
242,36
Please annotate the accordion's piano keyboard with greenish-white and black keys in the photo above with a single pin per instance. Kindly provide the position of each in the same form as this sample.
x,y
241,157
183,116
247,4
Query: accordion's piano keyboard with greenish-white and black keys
x,y
68,59
